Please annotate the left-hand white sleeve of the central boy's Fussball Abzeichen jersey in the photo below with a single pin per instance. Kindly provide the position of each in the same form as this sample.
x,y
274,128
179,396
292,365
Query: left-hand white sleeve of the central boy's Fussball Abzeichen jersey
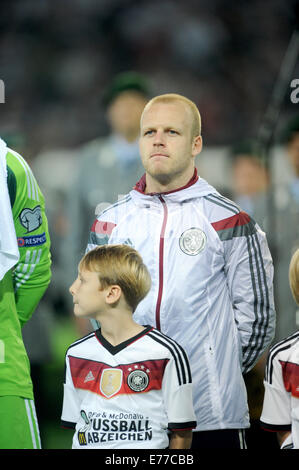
x,y
71,403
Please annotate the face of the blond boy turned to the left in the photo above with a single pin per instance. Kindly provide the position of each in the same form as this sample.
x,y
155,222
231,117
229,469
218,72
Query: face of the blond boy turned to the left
x,y
88,297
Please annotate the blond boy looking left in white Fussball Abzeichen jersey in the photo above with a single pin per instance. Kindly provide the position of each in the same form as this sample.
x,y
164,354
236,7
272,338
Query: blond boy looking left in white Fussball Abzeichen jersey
x,y
126,385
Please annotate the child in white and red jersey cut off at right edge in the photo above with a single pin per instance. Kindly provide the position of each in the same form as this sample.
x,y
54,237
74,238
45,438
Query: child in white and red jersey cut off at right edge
x,y
281,401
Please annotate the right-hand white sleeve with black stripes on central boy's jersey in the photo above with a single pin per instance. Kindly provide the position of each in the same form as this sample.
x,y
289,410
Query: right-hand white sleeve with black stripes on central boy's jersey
x,y
177,392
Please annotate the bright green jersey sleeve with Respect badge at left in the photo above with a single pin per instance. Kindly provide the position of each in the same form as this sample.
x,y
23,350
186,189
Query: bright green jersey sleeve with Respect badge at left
x,y
32,273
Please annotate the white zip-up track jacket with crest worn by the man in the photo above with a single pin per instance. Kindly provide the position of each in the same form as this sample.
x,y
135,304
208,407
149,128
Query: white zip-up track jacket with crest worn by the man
x,y
212,287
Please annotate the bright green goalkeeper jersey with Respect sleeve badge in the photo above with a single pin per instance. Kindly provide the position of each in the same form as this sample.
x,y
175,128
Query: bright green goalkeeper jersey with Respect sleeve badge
x,y
24,285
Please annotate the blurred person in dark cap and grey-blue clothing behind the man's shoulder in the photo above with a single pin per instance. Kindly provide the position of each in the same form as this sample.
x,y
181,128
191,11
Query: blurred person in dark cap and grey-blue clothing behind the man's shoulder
x,y
107,166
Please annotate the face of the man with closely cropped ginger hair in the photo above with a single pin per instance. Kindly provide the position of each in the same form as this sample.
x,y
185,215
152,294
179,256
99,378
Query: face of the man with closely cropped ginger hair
x,y
166,145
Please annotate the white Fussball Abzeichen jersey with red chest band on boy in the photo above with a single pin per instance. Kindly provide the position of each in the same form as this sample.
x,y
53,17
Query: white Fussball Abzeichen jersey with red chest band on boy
x,y
127,396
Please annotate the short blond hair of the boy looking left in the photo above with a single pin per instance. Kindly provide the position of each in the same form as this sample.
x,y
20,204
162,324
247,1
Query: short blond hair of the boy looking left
x,y
119,265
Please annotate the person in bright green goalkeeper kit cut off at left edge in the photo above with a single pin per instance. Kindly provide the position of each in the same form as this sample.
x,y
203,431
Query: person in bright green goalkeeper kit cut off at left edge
x,y
25,276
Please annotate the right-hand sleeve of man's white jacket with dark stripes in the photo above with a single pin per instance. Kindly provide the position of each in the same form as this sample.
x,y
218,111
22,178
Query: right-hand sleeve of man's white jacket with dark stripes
x,y
249,272
